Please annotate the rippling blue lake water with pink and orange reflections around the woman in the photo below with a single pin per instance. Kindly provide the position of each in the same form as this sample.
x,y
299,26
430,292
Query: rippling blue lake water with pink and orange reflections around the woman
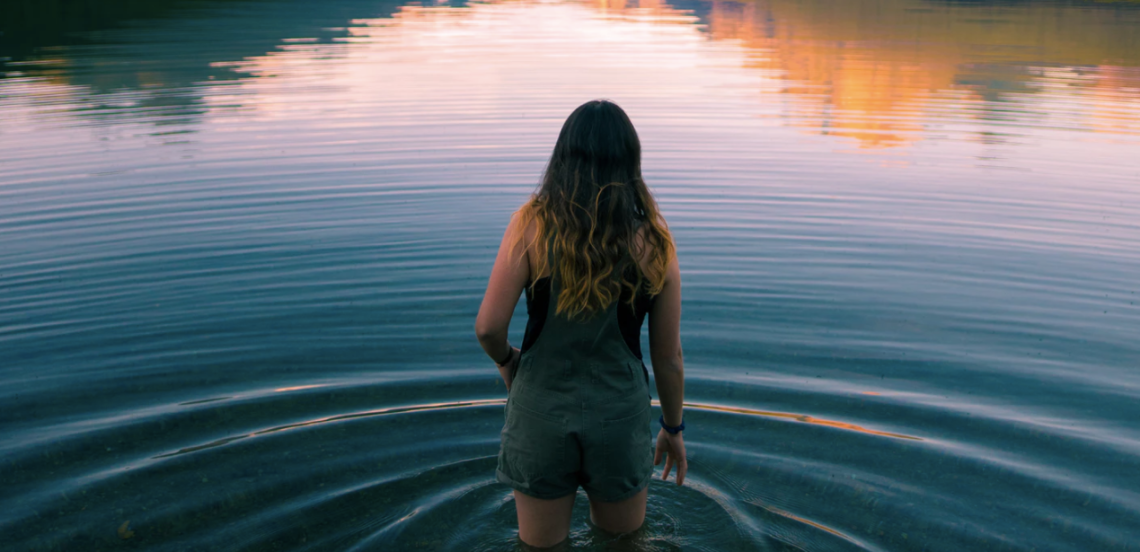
x,y
242,247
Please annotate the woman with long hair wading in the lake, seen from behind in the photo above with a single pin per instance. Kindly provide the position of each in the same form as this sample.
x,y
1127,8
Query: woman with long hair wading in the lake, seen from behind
x,y
596,257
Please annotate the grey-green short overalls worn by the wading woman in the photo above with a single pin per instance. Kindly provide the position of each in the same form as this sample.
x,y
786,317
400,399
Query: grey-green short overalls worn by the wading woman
x,y
579,412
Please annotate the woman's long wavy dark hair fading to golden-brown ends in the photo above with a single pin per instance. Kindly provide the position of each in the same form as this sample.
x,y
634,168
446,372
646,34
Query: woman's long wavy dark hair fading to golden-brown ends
x,y
588,214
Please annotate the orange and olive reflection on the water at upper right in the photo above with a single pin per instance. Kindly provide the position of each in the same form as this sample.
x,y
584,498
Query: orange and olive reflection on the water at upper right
x,y
883,71
